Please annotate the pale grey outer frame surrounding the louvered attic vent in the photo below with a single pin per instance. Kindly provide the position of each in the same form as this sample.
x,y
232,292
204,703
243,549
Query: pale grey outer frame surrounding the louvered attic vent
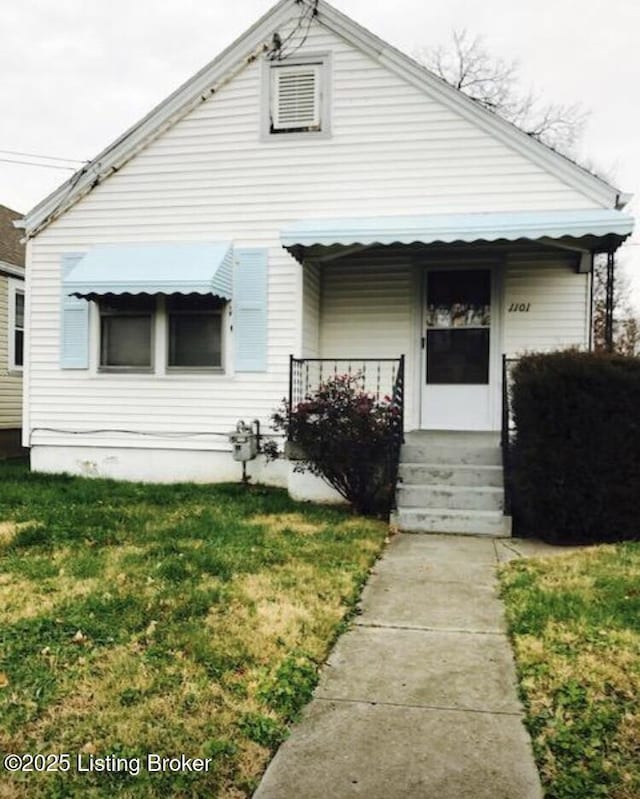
x,y
321,62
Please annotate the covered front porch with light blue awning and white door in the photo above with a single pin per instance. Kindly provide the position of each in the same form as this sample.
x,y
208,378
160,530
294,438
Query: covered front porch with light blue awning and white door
x,y
454,293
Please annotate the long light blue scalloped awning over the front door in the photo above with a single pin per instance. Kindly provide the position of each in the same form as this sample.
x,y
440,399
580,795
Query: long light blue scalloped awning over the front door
x,y
599,227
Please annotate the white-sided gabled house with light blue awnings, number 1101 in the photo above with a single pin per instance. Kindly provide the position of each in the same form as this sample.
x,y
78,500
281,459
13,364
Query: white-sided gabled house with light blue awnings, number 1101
x,y
314,193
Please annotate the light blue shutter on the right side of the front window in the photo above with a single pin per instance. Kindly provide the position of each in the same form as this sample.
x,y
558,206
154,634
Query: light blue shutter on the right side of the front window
x,y
250,310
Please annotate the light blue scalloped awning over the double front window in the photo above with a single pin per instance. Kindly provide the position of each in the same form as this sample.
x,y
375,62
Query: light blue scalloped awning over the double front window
x,y
163,268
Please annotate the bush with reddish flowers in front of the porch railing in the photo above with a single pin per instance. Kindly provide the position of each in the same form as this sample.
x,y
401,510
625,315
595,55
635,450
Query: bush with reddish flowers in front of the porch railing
x,y
348,438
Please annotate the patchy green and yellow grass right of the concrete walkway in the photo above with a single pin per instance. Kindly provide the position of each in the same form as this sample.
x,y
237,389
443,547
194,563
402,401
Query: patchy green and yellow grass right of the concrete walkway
x,y
575,624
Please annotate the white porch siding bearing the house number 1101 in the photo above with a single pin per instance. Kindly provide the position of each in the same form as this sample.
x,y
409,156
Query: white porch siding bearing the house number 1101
x,y
558,302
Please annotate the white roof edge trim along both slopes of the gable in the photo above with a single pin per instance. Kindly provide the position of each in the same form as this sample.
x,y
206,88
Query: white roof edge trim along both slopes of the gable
x,y
254,42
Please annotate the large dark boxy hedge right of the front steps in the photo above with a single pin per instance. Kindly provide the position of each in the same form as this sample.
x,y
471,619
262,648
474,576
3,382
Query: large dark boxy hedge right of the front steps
x,y
576,457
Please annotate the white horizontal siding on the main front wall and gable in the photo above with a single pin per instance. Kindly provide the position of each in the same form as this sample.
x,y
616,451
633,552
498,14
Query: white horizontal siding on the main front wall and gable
x,y
213,177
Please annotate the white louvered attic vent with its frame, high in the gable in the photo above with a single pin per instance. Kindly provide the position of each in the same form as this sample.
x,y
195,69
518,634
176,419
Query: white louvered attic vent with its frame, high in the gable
x,y
298,97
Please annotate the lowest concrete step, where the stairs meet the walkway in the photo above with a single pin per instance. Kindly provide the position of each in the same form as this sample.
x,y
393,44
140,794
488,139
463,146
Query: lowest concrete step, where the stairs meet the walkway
x,y
459,522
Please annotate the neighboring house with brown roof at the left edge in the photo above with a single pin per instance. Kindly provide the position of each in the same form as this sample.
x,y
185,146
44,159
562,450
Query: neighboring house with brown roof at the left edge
x,y
11,332
